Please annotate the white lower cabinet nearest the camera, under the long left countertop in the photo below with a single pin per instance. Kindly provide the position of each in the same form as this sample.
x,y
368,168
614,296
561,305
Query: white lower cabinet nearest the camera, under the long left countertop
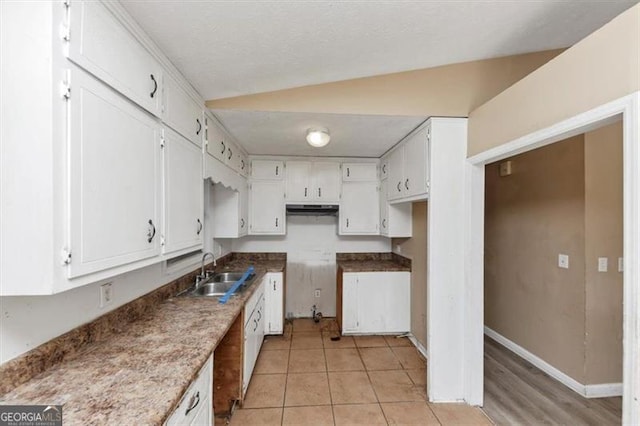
x,y
196,406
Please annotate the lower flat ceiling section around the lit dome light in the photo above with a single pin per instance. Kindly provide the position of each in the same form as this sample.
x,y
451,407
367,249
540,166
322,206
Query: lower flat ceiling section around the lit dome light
x,y
281,133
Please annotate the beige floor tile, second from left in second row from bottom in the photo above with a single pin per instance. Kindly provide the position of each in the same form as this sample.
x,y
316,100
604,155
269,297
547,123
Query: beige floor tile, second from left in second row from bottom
x,y
307,389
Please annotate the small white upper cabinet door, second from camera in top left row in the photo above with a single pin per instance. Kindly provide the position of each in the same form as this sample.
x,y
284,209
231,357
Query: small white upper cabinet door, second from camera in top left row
x,y
182,113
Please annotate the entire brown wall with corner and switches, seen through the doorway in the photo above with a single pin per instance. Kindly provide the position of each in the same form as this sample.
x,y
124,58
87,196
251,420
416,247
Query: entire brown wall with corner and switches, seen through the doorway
x,y
564,198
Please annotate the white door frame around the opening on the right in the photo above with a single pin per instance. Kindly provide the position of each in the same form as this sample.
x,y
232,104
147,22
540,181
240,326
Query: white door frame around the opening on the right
x,y
627,108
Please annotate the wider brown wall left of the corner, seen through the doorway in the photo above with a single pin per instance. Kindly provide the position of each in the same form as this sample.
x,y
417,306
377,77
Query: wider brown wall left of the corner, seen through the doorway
x,y
531,217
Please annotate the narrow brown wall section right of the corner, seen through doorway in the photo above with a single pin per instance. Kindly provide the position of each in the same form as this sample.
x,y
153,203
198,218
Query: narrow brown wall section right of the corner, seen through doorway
x,y
603,238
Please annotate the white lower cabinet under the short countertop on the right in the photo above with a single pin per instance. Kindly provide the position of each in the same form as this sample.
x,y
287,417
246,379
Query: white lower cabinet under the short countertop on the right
x,y
376,302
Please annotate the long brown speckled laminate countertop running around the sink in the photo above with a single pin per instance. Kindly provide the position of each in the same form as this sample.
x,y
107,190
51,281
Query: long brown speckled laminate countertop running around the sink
x,y
139,375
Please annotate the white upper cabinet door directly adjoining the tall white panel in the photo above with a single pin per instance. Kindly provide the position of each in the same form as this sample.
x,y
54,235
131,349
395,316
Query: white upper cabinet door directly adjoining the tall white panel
x,y
416,160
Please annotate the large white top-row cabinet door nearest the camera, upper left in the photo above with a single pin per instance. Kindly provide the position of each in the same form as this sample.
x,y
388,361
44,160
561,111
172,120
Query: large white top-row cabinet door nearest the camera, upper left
x,y
105,48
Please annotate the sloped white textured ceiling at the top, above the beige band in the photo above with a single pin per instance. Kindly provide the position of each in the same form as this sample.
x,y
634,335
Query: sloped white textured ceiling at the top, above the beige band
x,y
231,48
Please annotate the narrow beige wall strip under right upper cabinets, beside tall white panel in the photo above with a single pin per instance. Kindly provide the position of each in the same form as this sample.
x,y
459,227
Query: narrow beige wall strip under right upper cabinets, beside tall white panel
x,y
416,249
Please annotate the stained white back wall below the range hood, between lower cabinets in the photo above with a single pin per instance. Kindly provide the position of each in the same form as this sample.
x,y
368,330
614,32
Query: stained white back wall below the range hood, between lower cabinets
x,y
311,245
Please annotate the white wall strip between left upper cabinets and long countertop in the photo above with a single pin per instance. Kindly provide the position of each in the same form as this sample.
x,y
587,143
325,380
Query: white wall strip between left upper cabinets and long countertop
x,y
29,321
